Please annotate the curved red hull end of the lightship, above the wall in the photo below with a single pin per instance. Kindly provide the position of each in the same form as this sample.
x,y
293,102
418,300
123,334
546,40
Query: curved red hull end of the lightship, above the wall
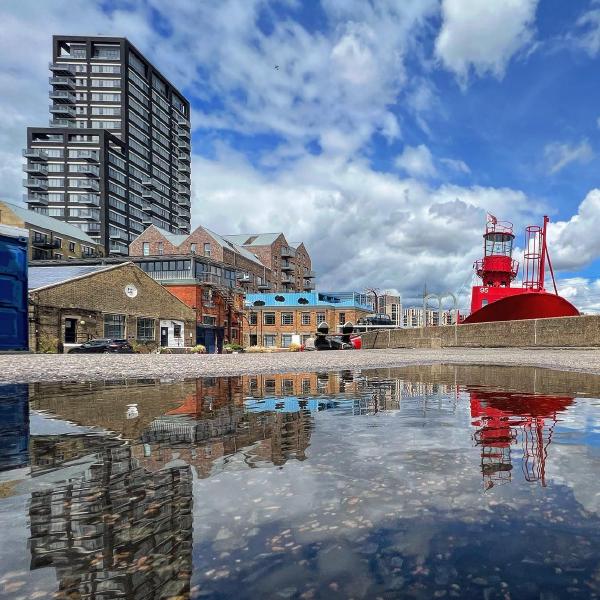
x,y
527,305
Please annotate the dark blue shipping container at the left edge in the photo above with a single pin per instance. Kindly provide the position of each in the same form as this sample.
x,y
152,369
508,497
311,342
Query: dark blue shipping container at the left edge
x,y
13,288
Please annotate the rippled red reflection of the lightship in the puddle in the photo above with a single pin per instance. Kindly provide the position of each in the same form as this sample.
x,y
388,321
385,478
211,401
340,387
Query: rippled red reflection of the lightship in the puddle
x,y
505,419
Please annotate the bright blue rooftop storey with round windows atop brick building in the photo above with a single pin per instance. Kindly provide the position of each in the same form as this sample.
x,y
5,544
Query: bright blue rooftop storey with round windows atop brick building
x,y
308,299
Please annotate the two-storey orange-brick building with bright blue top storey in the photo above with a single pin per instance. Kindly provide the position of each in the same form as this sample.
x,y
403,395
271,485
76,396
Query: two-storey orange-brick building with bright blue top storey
x,y
273,319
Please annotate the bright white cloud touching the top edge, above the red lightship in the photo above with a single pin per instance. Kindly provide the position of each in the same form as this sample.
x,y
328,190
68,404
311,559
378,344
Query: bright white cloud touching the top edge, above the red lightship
x,y
483,35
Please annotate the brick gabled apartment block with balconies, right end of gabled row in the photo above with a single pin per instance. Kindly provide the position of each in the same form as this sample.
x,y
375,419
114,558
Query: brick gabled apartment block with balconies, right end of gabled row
x,y
289,262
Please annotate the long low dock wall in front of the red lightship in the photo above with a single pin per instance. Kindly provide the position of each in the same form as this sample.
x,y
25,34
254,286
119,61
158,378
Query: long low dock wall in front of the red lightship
x,y
563,332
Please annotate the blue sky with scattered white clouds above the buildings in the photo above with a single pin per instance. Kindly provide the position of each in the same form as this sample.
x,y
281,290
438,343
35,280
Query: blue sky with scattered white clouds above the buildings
x,y
386,133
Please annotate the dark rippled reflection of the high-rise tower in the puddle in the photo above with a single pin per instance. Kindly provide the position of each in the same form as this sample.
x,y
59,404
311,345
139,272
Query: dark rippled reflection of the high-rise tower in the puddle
x,y
119,531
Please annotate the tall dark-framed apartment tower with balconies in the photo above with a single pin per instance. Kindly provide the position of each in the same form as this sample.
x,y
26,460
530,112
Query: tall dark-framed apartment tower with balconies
x,y
116,156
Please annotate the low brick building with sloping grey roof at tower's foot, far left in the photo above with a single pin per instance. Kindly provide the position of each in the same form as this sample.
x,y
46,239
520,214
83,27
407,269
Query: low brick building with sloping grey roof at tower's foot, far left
x,y
49,239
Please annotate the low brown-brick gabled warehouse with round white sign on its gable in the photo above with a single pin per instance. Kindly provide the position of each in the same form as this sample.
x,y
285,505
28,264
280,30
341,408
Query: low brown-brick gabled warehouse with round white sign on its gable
x,y
72,304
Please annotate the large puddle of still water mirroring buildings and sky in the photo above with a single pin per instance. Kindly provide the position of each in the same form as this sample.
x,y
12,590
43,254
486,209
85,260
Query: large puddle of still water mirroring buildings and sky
x,y
435,481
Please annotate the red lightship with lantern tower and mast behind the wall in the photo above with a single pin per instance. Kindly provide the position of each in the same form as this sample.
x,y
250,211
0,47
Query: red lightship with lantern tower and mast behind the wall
x,y
494,299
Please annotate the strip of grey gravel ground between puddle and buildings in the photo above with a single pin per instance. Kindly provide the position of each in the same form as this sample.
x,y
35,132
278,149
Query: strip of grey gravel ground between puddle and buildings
x,y
27,368
